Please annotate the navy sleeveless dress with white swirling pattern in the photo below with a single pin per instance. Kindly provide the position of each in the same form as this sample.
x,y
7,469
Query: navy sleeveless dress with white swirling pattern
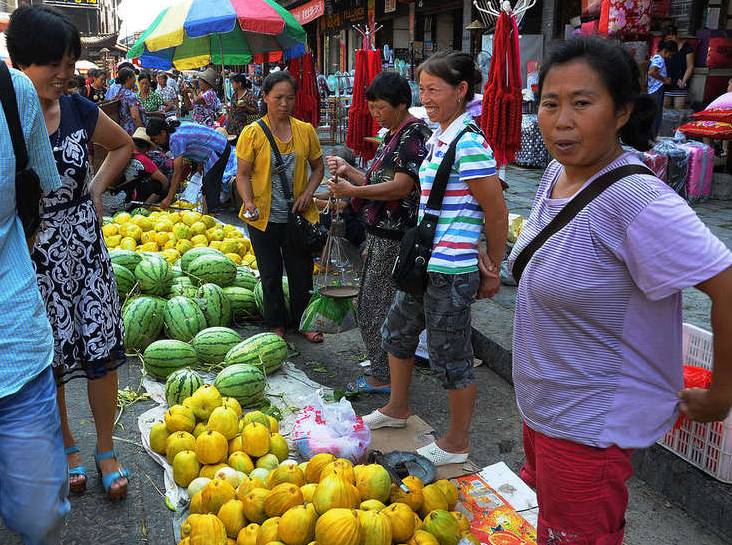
x,y
72,265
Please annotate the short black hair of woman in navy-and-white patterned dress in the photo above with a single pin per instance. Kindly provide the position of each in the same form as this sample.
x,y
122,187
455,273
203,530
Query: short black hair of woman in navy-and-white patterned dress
x,y
41,35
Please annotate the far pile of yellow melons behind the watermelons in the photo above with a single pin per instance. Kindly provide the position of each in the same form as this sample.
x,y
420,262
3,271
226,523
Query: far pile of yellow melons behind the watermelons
x,y
173,233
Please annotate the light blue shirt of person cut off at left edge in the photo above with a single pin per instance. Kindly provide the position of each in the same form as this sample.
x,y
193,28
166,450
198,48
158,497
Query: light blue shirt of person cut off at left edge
x,y
26,339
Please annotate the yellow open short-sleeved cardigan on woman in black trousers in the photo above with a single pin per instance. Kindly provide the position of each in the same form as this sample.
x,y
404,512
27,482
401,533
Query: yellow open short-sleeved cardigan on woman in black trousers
x,y
254,148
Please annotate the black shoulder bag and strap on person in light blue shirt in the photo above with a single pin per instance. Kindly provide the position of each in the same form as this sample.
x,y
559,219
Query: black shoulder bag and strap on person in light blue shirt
x,y
28,191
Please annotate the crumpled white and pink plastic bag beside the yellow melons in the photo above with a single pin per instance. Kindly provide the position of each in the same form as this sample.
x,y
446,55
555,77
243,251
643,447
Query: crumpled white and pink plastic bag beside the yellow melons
x,y
330,427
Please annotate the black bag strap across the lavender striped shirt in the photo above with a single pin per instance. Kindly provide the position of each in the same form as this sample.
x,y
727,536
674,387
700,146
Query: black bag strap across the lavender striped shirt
x,y
573,207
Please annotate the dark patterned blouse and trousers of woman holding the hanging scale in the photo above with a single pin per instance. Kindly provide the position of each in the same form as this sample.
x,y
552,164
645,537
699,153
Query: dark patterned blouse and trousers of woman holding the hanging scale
x,y
385,225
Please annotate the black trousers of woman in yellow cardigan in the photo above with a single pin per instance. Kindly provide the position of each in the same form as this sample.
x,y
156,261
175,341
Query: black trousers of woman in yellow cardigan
x,y
272,248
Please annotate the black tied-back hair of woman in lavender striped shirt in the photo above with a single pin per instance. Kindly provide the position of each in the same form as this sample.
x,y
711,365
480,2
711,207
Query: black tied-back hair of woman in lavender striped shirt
x,y
621,76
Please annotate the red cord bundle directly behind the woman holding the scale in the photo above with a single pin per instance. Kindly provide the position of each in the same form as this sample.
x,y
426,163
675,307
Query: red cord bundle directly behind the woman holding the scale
x,y
360,122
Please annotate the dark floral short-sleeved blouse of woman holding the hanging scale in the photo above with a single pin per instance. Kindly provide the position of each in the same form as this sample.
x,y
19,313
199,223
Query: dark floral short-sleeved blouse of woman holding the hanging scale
x,y
402,155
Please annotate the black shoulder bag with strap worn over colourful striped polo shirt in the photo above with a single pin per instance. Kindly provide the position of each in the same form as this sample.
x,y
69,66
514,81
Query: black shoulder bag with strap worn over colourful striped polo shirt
x,y
410,268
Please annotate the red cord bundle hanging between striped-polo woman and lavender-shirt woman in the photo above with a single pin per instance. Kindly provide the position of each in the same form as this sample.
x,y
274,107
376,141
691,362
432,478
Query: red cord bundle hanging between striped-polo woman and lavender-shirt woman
x,y
501,118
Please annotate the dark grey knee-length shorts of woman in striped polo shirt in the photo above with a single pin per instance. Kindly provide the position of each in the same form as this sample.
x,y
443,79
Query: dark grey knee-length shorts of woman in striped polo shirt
x,y
444,310
